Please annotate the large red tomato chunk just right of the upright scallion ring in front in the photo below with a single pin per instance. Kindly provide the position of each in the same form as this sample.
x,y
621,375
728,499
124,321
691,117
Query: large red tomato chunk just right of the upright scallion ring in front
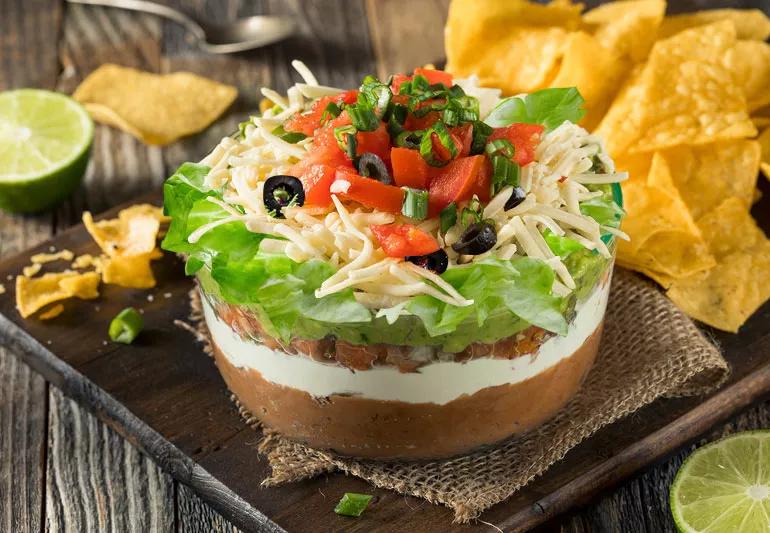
x,y
456,181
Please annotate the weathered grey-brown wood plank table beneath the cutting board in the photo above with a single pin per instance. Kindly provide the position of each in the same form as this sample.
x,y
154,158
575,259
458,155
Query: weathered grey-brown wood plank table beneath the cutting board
x,y
60,468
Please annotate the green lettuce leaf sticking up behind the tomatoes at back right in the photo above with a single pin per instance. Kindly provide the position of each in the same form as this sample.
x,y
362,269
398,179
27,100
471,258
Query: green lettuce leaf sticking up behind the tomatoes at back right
x,y
549,107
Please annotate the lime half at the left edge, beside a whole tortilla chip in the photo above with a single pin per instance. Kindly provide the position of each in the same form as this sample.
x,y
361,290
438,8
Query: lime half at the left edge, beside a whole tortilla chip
x,y
45,139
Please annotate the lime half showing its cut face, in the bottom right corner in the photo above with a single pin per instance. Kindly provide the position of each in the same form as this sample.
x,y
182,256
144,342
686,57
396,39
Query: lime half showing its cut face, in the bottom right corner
x,y
725,486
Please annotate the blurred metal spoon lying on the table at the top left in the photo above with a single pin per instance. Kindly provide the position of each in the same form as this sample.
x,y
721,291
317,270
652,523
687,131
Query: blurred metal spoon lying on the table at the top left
x,y
243,34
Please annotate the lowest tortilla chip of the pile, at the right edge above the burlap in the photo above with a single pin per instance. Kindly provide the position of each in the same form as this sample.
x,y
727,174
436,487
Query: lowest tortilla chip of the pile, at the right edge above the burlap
x,y
728,294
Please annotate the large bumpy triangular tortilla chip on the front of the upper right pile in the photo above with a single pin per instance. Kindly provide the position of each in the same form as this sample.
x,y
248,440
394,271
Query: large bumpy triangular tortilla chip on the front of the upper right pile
x,y
698,104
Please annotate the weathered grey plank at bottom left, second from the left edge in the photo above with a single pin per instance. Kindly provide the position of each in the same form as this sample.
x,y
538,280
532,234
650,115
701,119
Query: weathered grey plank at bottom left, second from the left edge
x,y
97,481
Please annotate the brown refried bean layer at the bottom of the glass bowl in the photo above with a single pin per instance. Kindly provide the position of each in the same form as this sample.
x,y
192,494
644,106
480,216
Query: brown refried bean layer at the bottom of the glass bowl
x,y
383,429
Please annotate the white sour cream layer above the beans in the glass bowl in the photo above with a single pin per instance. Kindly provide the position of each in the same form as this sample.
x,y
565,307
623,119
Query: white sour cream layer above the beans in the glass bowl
x,y
439,382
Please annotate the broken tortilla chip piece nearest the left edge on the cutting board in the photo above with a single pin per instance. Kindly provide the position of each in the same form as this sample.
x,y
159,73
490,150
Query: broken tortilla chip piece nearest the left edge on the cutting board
x,y
32,294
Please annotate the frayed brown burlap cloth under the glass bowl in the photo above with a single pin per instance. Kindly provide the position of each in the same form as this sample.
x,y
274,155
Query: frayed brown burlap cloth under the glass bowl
x,y
649,350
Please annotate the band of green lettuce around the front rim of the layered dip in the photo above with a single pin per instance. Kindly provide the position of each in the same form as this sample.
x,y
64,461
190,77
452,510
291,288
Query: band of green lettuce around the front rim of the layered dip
x,y
508,295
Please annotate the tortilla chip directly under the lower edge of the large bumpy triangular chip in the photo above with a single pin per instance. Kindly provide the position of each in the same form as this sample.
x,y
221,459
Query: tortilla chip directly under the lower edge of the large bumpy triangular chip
x,y
706,175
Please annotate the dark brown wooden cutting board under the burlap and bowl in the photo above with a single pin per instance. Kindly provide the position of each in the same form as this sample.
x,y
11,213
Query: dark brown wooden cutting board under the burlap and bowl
x,y
165,395
